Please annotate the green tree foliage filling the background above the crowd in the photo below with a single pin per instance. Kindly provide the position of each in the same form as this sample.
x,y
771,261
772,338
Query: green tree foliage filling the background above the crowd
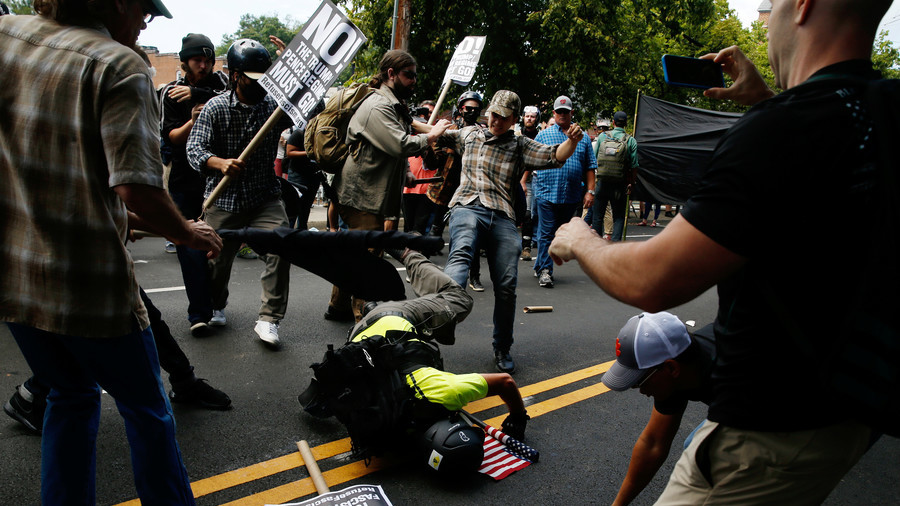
x,y
600,53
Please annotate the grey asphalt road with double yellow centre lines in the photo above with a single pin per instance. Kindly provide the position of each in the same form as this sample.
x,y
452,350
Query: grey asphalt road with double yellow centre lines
x,y
248,455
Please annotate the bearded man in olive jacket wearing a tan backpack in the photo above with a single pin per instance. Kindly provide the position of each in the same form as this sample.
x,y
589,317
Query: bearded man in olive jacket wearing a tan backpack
x,y
381,138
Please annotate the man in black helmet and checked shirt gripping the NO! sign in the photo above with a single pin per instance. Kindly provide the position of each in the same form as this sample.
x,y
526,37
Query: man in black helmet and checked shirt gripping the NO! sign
x,y
223,129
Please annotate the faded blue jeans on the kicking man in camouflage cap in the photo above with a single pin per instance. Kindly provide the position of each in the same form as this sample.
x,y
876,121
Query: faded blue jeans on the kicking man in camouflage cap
x,y
472,226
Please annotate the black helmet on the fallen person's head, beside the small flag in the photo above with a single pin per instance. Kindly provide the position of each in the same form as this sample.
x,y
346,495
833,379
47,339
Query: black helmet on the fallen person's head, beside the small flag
x,y
452,447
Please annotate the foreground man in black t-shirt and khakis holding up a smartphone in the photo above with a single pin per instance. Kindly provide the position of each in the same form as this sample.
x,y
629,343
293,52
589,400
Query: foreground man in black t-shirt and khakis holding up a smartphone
x,y
779,429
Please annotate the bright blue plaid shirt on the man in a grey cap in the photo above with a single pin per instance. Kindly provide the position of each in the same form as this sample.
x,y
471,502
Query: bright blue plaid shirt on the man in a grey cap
x,y
565,184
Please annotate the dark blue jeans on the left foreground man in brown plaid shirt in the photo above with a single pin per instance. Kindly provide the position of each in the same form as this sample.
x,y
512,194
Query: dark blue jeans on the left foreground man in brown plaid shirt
x,y
127,367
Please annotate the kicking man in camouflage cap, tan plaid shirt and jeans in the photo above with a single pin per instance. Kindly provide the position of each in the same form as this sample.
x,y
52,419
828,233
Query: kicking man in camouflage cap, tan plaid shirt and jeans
x,y
482,212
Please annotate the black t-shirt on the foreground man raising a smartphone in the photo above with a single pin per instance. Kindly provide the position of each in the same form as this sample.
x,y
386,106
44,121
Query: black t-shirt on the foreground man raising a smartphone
x,y
809,146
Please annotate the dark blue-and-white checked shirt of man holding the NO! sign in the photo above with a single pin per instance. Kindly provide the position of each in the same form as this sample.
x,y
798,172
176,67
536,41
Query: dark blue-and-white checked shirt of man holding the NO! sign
x,y
225,127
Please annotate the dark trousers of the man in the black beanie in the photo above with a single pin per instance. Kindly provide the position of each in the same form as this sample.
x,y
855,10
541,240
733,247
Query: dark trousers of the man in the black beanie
x,y
194,267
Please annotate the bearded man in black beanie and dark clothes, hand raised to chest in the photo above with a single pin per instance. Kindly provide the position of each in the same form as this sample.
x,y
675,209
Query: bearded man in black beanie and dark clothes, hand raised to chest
x,y
182,101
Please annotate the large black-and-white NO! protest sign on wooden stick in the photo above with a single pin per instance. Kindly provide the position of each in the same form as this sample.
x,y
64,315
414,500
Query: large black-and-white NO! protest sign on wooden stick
x,y
310,64
